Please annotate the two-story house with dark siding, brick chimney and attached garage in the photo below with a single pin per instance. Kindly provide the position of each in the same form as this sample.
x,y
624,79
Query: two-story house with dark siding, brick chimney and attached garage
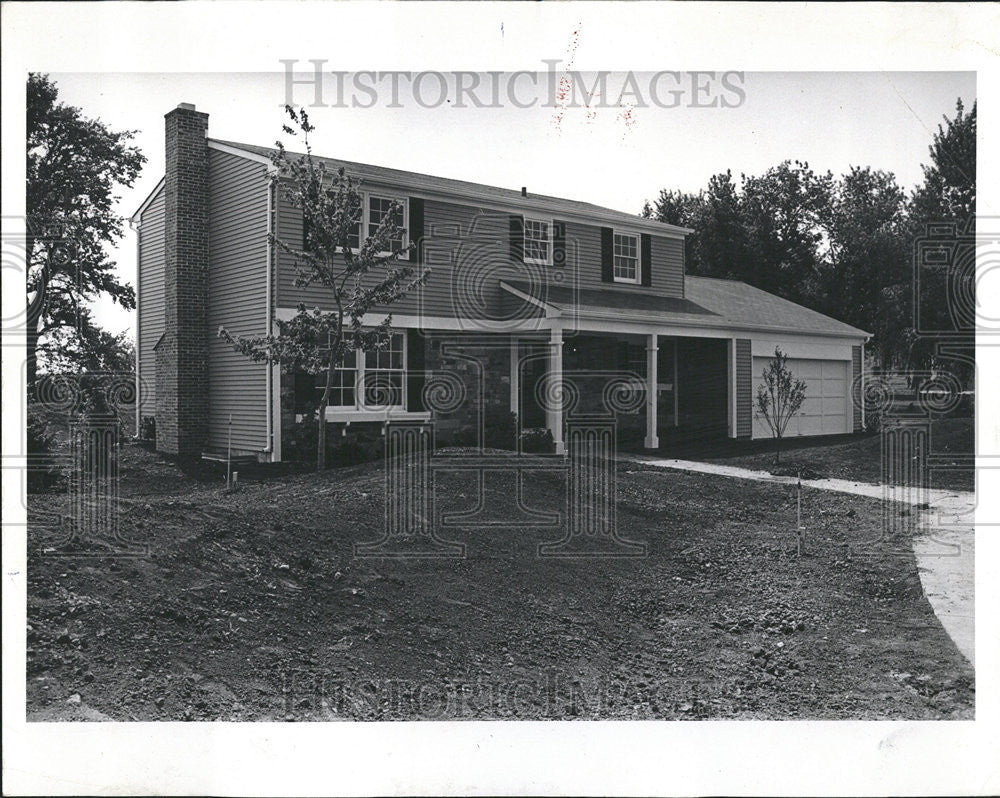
x,y
536,306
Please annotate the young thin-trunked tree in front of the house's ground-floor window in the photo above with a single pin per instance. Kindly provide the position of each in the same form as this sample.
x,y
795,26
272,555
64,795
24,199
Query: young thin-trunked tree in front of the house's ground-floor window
x,y
362,274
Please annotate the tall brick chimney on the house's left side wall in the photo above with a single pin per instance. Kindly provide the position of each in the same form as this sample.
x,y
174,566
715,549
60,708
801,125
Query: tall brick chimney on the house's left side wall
x,y
182,353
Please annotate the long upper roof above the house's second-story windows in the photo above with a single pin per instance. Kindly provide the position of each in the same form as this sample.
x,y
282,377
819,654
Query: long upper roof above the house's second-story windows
x,y
499,198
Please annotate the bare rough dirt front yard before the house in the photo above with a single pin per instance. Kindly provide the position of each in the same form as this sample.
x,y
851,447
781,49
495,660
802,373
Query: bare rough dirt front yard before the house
x,y
250,606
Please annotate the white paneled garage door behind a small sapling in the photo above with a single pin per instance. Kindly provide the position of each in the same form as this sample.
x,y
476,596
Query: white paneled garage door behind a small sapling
x,y
826,409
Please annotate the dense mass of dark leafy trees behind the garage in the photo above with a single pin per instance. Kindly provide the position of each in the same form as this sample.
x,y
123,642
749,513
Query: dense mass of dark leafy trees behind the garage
x,y
844,246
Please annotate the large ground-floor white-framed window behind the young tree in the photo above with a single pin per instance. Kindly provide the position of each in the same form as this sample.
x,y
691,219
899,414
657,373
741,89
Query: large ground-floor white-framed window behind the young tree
x,y
375,381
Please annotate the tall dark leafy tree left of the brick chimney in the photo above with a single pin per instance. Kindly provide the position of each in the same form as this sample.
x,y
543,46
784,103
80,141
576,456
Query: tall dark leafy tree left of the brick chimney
x,y
74,167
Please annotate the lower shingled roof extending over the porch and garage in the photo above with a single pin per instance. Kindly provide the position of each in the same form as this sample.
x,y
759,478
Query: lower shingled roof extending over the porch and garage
x,y
708,302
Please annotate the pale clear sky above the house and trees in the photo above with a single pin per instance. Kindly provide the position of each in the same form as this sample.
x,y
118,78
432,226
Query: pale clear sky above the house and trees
x,y
618,151
